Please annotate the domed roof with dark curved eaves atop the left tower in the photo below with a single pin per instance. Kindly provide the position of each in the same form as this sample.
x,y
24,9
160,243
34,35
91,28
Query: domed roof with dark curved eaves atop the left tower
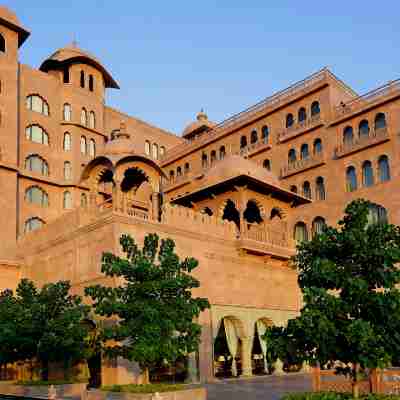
x,y
73,55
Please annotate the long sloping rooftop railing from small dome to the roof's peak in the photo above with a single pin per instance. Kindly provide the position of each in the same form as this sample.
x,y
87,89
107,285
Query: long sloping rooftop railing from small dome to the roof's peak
x,y
247,115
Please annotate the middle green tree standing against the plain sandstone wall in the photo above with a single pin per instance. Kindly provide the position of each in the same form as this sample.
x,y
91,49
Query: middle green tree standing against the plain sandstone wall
x,y
153,307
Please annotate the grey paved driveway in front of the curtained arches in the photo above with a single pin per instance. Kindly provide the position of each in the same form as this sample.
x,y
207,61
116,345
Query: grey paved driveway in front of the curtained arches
x,y
261,388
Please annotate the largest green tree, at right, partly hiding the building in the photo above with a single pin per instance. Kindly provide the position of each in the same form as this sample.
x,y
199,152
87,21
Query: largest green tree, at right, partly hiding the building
x,y
348,277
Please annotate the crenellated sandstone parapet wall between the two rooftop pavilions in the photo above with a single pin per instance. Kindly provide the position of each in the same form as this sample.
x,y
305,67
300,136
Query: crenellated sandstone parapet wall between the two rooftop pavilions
x,y
186,218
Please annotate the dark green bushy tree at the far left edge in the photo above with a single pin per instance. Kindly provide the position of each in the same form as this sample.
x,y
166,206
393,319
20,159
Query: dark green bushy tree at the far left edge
x,y
45,324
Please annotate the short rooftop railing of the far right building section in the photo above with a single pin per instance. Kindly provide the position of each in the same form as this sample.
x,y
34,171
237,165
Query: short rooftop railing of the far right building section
x,y
368,100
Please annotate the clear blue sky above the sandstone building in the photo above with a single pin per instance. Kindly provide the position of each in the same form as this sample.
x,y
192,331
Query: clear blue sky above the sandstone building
x,y
172,58
